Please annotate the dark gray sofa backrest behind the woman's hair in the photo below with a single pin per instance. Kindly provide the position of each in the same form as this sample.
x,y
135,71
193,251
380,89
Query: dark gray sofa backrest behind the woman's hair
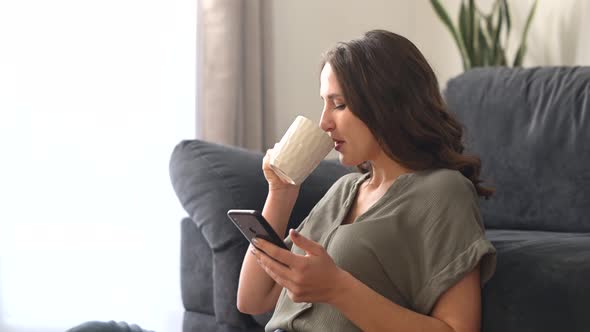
x,y
531,128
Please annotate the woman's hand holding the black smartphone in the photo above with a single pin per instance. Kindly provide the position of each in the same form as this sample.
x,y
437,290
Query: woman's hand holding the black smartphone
x,y
313,277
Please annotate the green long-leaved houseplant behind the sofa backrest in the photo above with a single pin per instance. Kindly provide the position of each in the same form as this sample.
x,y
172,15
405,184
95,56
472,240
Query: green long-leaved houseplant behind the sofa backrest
x,y
482,38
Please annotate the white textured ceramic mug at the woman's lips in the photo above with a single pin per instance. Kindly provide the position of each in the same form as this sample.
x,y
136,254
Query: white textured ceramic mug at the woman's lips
x,y
300,151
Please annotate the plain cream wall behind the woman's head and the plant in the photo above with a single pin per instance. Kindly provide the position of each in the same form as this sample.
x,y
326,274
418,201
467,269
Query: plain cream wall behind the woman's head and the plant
x,y
297,32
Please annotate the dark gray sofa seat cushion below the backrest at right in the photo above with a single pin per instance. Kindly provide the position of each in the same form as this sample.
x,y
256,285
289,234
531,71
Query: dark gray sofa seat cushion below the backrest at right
x,y
540,284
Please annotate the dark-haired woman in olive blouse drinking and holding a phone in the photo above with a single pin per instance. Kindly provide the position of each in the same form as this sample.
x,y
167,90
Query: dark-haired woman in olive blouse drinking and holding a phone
x,y
399,246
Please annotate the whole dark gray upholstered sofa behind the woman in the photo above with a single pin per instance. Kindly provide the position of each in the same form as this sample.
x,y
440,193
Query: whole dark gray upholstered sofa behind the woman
x,y
531,128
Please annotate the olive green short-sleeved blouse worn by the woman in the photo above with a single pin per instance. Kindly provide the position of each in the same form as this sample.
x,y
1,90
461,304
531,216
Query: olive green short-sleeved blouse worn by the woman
x,y
419,239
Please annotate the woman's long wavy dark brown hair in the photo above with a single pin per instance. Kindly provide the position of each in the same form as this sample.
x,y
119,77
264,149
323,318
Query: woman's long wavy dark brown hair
x,y
388,84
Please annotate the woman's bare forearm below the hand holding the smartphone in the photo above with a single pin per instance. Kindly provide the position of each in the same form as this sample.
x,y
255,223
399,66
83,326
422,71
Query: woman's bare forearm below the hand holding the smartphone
x,y
371,311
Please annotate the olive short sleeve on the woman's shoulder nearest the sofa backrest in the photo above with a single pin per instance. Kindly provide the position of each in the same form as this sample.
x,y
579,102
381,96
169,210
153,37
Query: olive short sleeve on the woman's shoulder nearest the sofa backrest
x,y
454,241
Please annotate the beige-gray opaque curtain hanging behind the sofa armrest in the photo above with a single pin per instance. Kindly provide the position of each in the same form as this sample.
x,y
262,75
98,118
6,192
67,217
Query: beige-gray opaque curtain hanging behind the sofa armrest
x,y
230,106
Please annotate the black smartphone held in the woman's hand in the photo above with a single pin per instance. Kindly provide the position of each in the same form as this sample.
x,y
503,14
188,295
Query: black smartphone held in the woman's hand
x,y
252,224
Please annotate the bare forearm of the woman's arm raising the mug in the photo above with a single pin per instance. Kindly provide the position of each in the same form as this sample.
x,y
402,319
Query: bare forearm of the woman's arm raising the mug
x,y
257,292
